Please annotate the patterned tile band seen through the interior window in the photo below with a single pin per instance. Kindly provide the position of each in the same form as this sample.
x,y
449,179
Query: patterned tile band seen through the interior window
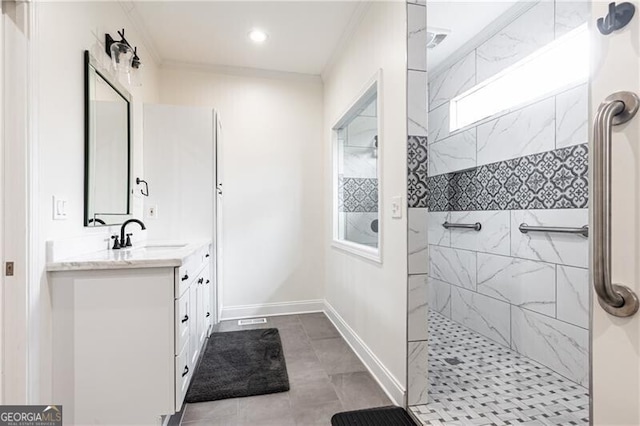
x,y
358,195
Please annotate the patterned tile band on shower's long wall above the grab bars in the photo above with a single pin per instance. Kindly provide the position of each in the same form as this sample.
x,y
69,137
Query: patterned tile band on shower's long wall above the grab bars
x,y
549,180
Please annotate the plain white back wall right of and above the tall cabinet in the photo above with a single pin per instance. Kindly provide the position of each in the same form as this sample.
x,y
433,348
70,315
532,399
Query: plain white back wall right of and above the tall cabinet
x,y
273,186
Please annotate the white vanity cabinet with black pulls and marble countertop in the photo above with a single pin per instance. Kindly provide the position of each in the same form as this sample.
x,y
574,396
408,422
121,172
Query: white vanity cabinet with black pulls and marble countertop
x,y
127,333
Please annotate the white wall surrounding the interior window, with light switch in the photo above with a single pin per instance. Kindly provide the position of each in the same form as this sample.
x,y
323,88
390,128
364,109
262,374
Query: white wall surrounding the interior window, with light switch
x,y
371,298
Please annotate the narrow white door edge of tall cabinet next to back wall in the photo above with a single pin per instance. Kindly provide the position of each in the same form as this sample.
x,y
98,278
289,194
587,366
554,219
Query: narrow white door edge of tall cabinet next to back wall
x,y
218,236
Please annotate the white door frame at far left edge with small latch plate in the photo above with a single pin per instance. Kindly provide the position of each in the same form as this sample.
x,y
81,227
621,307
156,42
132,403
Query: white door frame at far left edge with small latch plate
x,y
15,290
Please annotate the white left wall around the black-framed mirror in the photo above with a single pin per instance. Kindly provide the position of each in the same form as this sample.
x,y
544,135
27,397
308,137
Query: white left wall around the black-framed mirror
x,y
62,32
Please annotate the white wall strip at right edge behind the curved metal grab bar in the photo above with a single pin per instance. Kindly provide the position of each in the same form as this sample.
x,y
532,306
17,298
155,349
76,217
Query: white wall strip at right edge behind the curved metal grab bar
x,y
616,341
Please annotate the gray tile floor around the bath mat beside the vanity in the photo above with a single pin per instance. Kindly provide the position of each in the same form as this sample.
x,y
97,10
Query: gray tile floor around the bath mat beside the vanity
x,y
325,376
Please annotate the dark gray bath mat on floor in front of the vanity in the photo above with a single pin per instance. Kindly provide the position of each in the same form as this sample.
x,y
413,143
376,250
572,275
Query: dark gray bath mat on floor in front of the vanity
x,y
240,363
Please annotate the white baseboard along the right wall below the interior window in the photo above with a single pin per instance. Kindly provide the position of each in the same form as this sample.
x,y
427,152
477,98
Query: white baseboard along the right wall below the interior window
x,y
383,376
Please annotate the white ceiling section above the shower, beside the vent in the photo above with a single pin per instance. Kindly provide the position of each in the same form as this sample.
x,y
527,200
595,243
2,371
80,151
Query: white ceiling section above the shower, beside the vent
x,y
465,19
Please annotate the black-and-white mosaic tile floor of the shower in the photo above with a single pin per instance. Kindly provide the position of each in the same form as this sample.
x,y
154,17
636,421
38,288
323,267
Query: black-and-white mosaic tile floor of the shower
x,y
473,381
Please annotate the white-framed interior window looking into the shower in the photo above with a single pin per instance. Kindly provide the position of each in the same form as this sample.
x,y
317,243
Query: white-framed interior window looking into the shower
x,y
356,142
